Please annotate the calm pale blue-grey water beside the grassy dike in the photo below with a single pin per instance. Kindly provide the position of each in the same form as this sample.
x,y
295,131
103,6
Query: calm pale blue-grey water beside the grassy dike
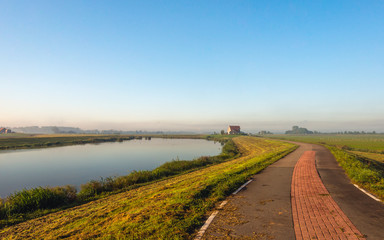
x,y
79,164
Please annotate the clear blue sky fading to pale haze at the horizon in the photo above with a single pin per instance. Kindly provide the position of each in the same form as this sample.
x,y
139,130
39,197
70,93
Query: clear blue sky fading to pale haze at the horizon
x,y
193,65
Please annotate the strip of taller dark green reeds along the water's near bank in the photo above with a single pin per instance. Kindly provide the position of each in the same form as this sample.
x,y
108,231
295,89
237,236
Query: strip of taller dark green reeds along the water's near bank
x,y
31,203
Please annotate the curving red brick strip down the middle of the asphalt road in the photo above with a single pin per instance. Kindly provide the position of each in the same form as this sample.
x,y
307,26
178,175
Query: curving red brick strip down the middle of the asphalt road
x,y
315,214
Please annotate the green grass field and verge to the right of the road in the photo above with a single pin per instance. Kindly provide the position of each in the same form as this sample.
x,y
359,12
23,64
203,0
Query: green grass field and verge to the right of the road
x,y
361,156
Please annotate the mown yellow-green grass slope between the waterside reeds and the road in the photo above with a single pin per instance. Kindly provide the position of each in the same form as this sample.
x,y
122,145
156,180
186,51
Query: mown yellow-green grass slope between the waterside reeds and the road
x,y
170,209
